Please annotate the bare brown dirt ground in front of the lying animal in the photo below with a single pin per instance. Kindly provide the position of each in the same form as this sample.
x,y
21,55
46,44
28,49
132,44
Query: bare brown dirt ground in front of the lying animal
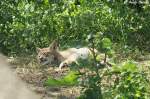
x,y
34,75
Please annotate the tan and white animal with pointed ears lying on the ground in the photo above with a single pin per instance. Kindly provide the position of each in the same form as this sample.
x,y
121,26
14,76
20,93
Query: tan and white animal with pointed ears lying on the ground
x,y
51,55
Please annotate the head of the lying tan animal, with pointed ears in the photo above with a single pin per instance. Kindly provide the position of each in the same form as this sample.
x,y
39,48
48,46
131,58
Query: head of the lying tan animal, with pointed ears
x,y
47,55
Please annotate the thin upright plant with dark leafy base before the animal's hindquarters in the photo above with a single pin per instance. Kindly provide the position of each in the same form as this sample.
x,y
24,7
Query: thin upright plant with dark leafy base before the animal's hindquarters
x,y
92,83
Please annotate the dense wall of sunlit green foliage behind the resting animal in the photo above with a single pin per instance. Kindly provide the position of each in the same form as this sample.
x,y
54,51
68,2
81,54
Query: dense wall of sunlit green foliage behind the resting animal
x,y
25,24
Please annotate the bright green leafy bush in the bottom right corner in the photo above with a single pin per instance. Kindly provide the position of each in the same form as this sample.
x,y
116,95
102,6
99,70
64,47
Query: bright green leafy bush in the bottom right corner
x,y
131,83
